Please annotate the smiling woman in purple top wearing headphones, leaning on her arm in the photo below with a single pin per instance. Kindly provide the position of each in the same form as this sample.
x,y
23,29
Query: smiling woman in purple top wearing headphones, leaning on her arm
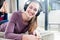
x,y
22,22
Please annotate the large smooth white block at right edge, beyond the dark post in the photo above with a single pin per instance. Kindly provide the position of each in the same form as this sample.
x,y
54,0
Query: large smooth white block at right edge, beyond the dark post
x,y
54,16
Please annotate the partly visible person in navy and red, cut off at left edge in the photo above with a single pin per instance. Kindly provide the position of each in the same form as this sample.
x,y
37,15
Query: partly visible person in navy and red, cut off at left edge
x,y
3,12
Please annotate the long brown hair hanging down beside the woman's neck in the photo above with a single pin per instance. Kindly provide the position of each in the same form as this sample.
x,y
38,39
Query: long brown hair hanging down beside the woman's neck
x,y
32,24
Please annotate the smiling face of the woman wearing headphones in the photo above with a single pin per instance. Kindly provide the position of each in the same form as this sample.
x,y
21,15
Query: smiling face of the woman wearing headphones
x,y
32,9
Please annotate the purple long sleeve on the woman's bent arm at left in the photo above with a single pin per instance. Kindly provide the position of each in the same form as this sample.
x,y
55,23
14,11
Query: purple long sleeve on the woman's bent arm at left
x,y
10,29
